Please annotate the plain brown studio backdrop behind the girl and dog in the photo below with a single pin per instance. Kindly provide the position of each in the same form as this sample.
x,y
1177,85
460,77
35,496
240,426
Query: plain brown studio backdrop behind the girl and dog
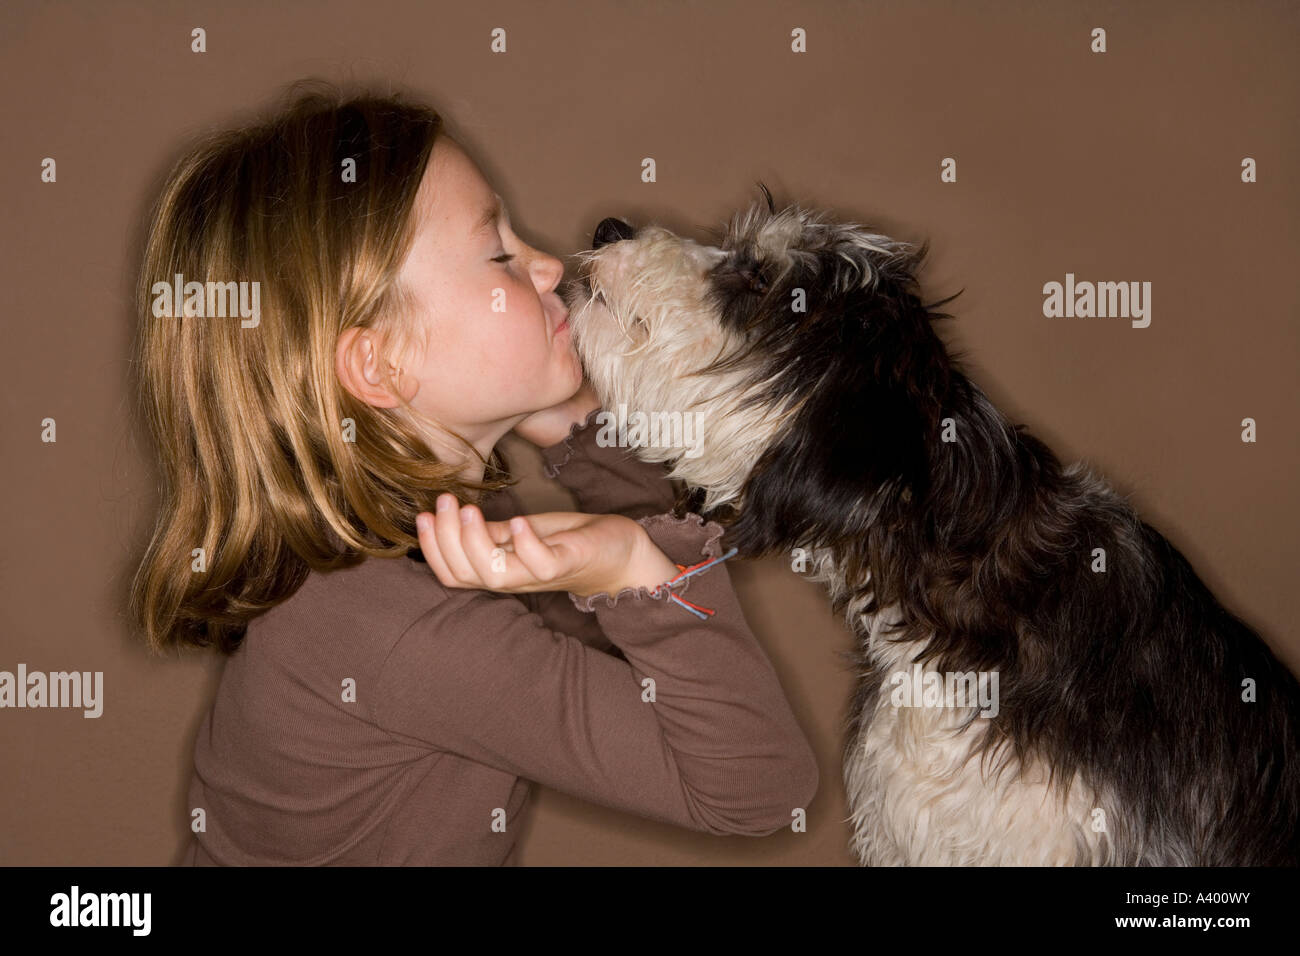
x,y
1121,167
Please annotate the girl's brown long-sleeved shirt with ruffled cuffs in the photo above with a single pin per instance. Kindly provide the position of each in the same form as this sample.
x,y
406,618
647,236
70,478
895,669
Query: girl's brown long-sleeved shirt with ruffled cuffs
x,y
376,717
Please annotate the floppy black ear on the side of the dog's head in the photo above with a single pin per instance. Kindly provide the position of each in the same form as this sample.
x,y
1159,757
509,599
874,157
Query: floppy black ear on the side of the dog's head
x,y
872,386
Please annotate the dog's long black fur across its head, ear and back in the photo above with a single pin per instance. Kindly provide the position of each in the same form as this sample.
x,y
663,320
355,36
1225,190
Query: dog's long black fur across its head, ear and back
x,y
1132,678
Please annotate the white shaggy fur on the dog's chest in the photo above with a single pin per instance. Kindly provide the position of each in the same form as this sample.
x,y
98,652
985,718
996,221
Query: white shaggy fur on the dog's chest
x,y
916,794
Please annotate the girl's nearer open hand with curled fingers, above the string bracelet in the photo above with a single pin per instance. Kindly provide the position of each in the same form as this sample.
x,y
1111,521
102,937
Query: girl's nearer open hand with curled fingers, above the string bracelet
x,y
554,551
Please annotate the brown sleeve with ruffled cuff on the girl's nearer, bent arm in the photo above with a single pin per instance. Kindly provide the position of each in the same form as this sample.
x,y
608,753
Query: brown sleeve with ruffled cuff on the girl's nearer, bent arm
x,y
714,749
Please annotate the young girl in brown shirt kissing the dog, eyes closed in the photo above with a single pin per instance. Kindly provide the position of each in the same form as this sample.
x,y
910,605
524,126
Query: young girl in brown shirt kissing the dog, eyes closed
x,y
374,708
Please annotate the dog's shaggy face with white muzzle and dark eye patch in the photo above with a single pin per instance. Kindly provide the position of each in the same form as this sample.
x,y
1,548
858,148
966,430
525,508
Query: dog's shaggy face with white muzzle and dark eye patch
x,y
656,312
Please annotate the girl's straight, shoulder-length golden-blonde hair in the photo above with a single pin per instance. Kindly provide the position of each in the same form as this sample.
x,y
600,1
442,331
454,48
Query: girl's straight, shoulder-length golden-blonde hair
x,y
270,465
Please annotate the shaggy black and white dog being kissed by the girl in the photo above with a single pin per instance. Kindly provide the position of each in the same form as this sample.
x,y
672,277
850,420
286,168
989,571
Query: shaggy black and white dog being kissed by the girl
x,y
1045,680
